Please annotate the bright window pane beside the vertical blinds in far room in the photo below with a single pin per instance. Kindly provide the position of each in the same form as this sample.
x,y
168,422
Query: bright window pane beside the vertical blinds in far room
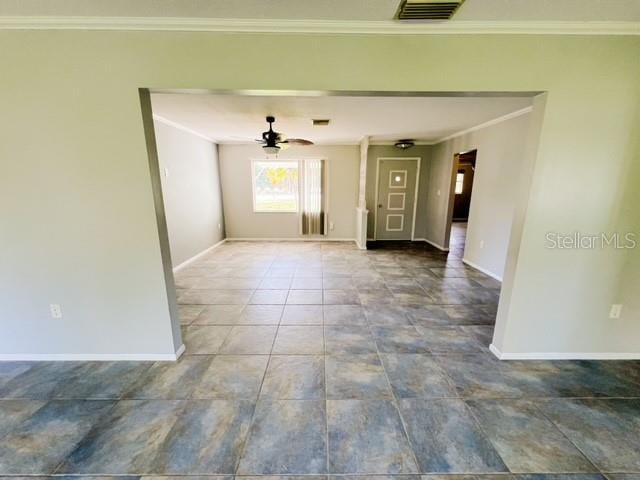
x,y
275,186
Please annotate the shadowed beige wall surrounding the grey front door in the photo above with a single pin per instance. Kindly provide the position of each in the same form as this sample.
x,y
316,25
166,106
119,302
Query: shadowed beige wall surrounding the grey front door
x,y
377,151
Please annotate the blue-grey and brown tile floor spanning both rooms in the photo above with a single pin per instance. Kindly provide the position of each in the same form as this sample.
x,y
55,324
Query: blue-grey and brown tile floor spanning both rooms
x,y
319,359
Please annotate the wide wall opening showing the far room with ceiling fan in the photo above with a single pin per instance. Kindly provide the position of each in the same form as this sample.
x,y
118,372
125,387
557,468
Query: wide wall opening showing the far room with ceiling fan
x,y
263,197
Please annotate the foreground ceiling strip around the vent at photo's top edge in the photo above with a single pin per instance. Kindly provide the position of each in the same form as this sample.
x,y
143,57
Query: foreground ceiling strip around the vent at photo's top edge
x,y
360,10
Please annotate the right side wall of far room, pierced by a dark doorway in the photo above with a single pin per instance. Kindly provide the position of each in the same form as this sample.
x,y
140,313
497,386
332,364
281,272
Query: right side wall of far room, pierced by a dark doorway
x,y
498,167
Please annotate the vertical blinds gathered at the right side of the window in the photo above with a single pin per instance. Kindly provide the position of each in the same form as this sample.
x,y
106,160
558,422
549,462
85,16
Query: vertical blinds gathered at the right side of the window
x,y
313,201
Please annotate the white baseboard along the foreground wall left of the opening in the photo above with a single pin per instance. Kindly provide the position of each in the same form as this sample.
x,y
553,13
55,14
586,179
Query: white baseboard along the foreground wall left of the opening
x,y
93,357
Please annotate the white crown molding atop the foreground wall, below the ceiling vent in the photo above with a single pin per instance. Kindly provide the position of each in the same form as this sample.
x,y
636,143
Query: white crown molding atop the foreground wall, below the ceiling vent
x,y
389,27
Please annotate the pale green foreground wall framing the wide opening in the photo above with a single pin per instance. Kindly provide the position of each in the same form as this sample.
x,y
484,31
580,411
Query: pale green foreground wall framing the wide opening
x,y
76,204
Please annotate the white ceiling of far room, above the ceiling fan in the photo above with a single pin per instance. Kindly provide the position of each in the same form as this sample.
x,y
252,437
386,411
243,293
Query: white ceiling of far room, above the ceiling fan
x,y
238,119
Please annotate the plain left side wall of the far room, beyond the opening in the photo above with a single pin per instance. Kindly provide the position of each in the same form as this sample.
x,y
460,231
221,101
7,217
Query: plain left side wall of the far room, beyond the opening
x,y
191,191
